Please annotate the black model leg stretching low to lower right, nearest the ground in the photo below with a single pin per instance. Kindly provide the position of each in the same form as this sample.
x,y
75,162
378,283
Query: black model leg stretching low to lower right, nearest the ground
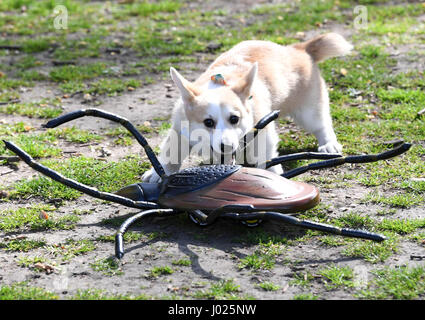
x,y
324,227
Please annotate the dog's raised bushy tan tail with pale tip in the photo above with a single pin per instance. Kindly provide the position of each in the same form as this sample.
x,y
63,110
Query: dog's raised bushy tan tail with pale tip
x,y
325,46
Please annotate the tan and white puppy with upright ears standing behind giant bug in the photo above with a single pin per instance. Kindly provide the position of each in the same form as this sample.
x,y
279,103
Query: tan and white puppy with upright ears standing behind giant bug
x,y
259,76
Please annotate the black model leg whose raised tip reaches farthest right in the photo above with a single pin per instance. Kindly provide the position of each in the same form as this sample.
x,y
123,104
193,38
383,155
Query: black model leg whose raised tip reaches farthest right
x,y
349,159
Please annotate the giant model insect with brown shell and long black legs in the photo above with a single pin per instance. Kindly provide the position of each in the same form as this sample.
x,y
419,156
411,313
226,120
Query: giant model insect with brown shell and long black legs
x,y
207,192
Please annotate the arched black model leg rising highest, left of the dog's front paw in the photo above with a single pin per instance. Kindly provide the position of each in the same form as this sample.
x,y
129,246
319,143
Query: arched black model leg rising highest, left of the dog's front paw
x,y
110,116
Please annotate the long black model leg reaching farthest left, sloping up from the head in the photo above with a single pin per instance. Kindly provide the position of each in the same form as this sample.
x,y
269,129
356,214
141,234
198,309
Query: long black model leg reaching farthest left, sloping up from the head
x,y
76,185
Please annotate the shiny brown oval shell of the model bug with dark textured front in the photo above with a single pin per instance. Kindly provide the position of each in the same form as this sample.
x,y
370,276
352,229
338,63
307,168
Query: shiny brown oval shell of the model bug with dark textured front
x,y
219,186
